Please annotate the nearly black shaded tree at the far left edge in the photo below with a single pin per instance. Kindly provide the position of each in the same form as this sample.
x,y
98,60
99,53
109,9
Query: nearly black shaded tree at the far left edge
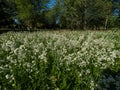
x,y
6,14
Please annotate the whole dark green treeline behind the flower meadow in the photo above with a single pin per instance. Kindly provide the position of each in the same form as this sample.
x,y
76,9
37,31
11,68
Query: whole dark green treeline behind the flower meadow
x,y
65,14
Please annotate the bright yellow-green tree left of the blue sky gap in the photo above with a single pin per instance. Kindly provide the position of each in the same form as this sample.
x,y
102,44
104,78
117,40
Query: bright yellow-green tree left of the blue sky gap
x,y
31,12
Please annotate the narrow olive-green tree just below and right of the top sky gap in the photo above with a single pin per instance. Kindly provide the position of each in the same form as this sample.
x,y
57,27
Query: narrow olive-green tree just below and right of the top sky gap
x,y
53,14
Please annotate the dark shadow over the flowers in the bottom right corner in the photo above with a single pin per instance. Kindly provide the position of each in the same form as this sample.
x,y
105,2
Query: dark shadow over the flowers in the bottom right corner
x,y
109,80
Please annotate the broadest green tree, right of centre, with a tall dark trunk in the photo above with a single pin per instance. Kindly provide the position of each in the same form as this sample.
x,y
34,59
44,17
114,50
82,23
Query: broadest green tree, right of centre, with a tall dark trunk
x,y
86,13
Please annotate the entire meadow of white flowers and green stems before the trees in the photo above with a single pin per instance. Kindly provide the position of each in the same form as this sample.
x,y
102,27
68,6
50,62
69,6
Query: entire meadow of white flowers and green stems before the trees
x,y
60,60
